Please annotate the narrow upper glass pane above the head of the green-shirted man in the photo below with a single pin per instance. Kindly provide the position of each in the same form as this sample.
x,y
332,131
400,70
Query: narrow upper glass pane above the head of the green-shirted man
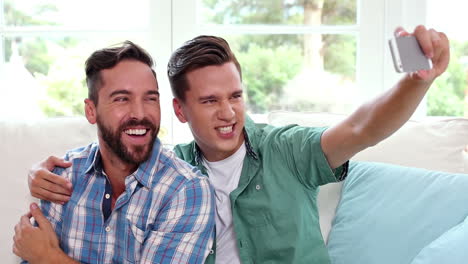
x,y
293,12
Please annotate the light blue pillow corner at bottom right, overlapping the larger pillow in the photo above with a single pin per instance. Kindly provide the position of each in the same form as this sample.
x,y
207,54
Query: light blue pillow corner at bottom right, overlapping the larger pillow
x,y
451,247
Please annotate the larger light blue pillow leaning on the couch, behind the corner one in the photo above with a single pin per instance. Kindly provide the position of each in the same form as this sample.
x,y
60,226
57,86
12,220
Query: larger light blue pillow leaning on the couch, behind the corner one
x,y
389,213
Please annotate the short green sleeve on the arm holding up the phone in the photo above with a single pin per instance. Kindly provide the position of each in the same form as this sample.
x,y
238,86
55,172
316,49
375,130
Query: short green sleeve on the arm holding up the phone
x,y
301,148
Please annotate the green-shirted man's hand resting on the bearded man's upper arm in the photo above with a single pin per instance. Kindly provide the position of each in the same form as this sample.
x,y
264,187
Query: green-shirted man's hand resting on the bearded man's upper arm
x,y
45,185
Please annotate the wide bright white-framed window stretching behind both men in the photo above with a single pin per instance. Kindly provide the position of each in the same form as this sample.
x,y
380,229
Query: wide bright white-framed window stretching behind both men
x,y
308,55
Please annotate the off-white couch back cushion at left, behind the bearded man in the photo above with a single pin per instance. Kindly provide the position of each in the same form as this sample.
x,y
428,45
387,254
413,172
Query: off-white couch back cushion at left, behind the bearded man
x,y
23,143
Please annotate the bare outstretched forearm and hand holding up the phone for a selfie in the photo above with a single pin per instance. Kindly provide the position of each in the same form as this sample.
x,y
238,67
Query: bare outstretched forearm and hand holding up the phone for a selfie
x,y
378,119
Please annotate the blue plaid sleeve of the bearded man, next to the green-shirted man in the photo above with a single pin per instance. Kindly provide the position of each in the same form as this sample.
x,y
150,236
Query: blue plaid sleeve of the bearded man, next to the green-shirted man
x,y
183,232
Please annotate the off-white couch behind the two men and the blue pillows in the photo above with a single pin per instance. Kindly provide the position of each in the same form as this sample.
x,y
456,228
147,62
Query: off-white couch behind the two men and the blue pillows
x,y
435,144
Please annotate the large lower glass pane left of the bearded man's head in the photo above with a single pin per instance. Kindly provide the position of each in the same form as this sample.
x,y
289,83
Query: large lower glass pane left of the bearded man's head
x,y
44,76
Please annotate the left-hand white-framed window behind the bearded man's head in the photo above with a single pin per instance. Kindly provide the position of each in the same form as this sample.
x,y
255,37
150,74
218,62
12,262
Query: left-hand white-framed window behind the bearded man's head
x,y
44,44
